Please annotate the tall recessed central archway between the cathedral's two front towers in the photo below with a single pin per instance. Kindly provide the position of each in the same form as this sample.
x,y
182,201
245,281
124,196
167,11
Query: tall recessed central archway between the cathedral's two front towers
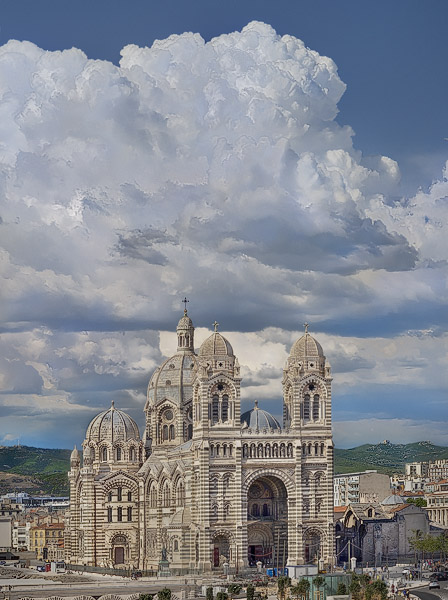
x,y
267,522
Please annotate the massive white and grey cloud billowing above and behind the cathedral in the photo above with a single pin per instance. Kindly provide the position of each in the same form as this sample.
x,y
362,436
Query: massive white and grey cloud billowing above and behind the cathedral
x,y
216,170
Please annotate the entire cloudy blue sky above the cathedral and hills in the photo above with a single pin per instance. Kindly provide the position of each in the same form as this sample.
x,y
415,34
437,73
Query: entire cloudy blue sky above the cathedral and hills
x,y
274,162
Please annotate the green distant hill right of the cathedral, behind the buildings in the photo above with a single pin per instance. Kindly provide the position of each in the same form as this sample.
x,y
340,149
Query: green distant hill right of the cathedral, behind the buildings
x,y
386,457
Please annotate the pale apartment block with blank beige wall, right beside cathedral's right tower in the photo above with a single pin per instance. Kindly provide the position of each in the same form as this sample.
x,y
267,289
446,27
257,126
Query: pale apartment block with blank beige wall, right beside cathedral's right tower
x,y
364,486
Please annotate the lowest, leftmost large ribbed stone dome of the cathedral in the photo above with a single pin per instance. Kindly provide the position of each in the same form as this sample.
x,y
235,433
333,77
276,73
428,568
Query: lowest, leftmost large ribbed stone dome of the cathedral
x,y
112,425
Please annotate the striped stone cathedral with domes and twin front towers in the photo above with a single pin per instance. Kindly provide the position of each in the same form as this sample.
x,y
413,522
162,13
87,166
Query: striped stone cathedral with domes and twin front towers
x,y
205,485
